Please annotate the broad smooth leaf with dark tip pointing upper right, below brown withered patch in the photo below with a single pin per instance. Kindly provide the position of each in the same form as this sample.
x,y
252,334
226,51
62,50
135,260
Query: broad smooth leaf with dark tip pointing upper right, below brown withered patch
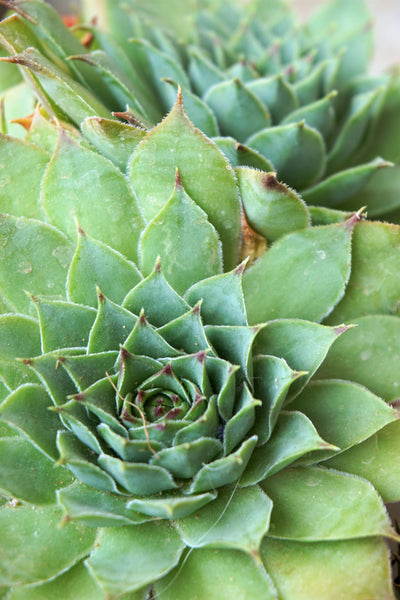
x,y
303,275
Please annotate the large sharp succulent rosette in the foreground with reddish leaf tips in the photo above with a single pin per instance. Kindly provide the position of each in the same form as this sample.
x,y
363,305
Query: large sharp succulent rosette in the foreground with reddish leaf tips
x,y
177,422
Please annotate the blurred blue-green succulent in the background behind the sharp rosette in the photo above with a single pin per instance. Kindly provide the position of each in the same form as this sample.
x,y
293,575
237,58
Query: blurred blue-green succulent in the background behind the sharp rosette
x,y
297,95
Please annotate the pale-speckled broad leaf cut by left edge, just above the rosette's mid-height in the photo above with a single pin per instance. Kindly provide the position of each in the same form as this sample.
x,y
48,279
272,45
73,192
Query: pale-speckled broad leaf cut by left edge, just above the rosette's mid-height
x,y
27,245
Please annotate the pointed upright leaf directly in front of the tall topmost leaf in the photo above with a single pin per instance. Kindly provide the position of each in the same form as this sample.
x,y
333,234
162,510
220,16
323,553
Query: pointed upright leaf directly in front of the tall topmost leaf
x,y
187,243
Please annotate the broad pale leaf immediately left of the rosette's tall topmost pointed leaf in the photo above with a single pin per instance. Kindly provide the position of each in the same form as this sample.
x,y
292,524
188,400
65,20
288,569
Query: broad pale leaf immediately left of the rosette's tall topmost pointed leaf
x,y
81,184
